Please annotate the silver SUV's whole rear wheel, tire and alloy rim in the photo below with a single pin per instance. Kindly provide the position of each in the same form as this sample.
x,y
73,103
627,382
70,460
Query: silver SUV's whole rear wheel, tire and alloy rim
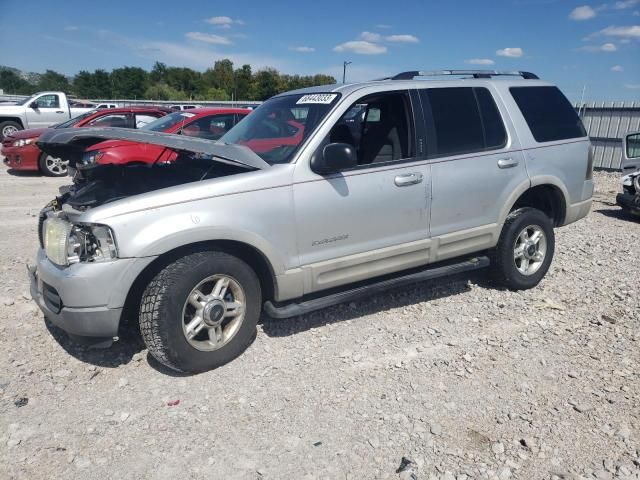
x,y
525,249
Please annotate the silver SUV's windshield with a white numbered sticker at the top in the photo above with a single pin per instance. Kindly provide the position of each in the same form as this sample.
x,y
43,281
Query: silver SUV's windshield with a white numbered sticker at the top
x,y
277,128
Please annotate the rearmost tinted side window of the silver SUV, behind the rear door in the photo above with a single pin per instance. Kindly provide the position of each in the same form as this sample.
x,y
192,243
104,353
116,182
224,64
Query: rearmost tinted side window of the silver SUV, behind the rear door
x,y
548,113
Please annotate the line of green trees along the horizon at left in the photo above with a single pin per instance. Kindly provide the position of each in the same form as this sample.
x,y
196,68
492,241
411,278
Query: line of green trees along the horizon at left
x,y
221,82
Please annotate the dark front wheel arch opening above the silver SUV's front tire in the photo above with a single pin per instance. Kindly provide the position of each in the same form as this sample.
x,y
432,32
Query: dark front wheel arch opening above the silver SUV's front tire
x,y
256,259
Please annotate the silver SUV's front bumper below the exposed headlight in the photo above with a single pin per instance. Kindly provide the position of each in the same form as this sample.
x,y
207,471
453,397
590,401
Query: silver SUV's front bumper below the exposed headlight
x,y
84,299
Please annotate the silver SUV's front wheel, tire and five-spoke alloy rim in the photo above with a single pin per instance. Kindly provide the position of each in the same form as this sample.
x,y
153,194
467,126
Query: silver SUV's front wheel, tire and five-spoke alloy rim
x,y
200,311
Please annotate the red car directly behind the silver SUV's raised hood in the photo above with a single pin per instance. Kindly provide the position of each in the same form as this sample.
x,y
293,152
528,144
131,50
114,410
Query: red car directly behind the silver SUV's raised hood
x,y
209,123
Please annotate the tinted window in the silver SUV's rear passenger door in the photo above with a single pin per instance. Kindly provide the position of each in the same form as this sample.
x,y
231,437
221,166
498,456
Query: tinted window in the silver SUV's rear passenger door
x,y
462,120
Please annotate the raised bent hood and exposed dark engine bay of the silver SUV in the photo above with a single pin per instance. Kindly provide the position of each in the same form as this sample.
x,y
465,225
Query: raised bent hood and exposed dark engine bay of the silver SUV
x,y
197,160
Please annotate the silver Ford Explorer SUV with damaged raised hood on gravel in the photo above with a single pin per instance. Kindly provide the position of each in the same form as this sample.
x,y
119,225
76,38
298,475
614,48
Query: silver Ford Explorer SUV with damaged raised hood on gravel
x,y
320,196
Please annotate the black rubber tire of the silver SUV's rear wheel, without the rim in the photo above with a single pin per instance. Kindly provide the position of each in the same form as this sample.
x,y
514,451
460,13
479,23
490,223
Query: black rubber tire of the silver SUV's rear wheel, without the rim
x,y
505,271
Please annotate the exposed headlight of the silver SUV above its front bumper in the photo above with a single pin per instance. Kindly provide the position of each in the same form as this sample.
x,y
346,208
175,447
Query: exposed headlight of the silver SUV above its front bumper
x,y
65,243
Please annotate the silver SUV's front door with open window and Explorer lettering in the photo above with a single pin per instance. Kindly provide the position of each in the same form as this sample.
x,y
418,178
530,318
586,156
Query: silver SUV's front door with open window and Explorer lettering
x,y
373,219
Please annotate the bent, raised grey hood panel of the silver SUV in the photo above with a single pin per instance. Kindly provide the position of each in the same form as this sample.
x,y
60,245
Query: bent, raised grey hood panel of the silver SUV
x,y
70,144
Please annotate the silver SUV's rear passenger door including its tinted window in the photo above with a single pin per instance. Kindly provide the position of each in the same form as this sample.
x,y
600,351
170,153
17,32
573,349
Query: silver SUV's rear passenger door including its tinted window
x,y
477,165
